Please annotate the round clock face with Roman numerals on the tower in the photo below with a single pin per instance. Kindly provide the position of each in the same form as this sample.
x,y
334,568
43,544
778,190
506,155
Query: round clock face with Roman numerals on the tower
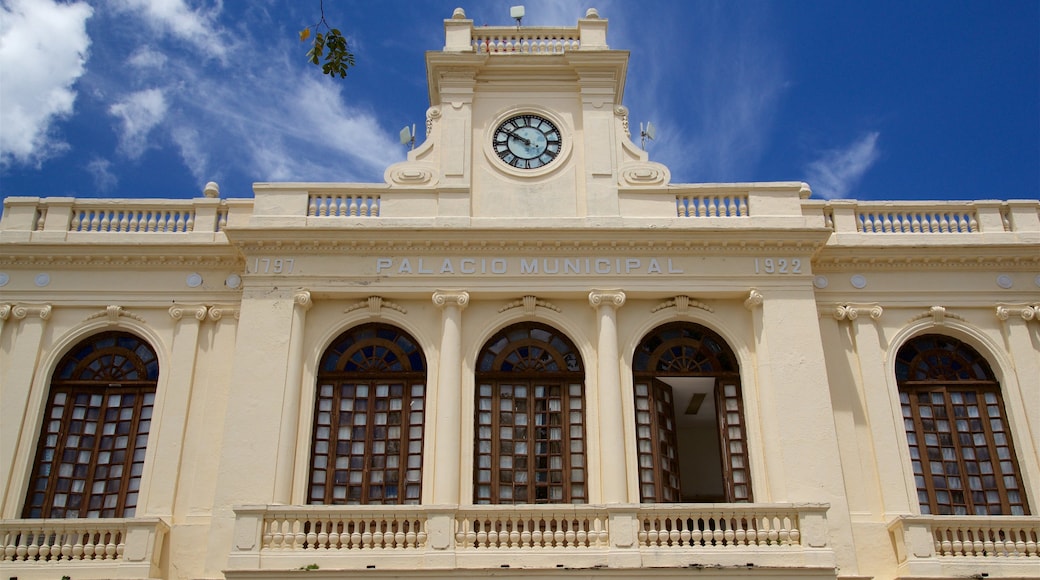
x,y
528,142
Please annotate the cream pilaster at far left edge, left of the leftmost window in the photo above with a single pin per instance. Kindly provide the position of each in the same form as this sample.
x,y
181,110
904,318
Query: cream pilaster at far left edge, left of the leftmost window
x,y
17,371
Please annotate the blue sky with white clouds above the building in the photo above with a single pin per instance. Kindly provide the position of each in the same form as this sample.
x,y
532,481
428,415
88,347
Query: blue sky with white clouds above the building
x,y
880,100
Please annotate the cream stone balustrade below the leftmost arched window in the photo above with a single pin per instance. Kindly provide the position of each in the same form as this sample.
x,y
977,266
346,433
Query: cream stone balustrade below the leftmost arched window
x,y
121,547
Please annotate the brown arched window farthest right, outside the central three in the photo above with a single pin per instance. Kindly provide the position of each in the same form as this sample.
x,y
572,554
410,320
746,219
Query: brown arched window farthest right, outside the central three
x,y
960,446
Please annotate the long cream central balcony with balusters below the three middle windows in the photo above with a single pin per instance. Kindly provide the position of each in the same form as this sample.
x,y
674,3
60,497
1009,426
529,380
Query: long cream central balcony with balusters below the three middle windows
x,y
779,538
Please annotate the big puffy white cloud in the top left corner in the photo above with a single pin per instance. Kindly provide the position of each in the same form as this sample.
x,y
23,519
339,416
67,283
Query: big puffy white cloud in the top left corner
x,y
43,50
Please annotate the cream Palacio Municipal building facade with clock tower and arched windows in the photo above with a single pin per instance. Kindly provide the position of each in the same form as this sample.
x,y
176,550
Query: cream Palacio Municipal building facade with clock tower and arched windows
x,y
528,354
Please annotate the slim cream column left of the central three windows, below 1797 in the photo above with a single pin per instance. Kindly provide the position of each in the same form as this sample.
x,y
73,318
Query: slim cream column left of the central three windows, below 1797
x,y
291,402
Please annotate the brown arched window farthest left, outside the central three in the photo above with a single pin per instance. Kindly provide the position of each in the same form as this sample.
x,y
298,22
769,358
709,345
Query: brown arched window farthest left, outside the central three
x,y
95,432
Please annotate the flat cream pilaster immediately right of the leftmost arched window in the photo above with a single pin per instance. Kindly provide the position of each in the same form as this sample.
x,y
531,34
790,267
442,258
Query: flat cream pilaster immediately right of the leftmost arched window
x,y
166,445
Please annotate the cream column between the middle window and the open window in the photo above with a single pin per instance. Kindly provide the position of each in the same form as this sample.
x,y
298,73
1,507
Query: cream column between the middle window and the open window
x,y
612,430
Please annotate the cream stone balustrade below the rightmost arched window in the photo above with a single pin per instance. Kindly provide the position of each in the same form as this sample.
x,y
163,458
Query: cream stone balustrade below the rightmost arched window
x,y
966,545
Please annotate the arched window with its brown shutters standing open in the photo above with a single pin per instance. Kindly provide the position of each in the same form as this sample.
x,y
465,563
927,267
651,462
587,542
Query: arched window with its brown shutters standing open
x,y
690,426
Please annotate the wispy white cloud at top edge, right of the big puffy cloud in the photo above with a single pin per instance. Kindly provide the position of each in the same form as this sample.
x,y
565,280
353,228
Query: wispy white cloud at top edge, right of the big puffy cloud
x,y
176,18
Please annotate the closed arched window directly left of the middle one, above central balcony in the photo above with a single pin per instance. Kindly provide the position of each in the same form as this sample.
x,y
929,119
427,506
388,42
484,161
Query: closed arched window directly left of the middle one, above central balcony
x,y
369,419
